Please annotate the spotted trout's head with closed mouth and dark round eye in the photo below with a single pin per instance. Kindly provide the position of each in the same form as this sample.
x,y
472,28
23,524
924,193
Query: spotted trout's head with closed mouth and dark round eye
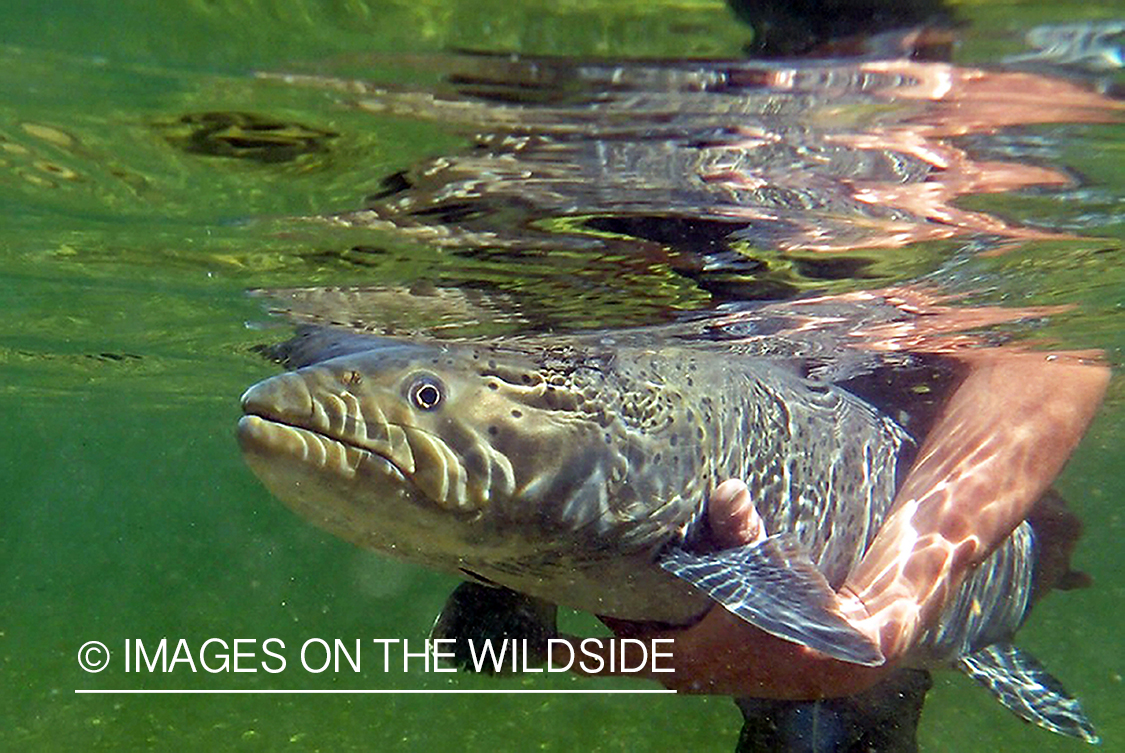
x,y
439,452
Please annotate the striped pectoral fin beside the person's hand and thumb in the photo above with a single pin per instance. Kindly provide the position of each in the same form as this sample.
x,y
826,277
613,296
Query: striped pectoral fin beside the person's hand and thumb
x,y
776,587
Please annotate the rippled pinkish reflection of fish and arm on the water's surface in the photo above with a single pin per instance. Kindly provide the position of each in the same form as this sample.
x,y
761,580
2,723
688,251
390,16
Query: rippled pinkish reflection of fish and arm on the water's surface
x,y
807,157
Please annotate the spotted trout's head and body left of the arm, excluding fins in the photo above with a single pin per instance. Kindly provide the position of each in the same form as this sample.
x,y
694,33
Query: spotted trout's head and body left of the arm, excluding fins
x,y
564,472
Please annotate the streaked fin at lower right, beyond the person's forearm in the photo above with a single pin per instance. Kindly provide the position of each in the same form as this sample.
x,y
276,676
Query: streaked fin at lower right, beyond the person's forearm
x,y
1021,684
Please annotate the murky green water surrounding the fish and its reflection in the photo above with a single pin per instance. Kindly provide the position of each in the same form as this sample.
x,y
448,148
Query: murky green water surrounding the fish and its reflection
x,y
124,347
